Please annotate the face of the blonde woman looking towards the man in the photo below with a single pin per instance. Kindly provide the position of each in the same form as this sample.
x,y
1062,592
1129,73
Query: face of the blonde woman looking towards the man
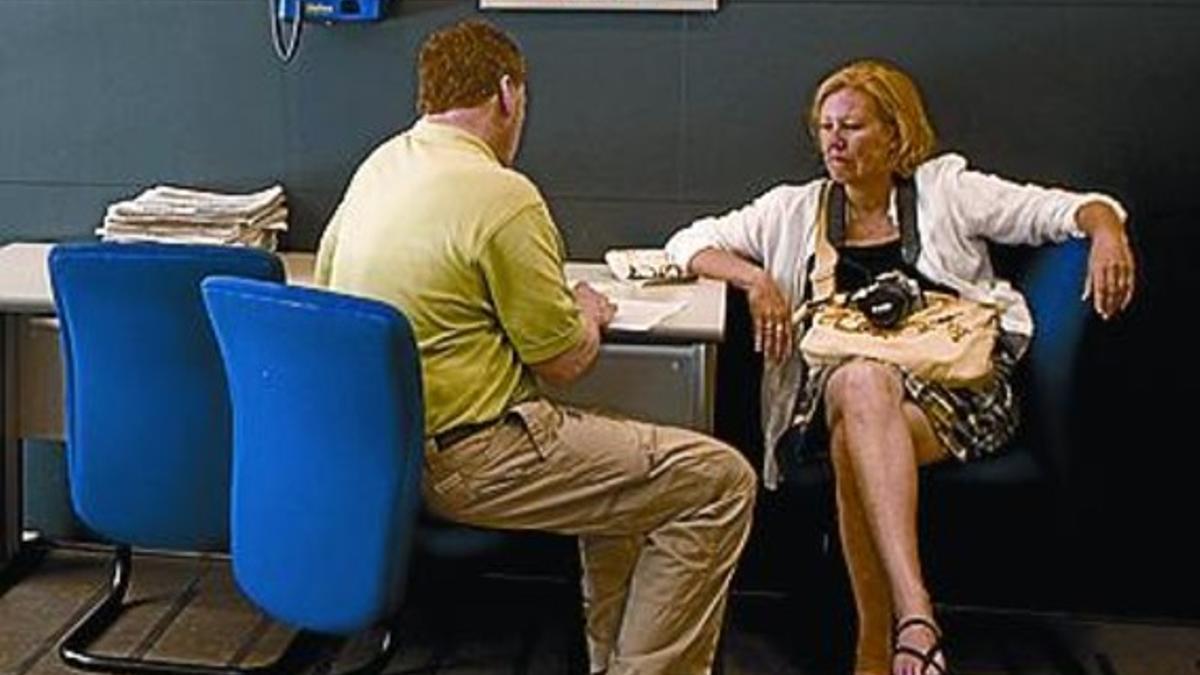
x,y
856,145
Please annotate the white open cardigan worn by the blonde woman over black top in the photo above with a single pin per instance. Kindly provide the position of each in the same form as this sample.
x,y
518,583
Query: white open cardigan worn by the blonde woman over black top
x,y
958,212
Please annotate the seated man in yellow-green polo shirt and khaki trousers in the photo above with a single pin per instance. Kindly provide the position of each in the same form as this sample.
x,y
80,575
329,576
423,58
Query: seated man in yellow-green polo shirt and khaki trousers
x,y
437,224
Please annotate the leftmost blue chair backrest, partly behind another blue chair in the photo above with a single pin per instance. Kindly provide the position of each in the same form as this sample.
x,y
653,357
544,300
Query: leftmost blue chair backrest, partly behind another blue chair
x,y
147,407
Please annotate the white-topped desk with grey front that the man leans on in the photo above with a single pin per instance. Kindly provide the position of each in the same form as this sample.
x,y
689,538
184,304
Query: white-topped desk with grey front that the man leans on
x,y
664,375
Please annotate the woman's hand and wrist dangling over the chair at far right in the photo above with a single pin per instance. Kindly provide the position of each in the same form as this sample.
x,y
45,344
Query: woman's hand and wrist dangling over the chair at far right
x,y
1111,267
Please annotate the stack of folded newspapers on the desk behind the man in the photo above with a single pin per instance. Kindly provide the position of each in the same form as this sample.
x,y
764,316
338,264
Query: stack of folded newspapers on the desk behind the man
x,y
183,216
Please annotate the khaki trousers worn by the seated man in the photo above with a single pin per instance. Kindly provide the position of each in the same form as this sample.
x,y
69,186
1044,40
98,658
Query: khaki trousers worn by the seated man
x,y
662,517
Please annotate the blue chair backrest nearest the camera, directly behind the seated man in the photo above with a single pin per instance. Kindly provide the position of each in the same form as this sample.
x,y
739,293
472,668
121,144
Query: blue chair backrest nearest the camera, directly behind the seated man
x,y
329,433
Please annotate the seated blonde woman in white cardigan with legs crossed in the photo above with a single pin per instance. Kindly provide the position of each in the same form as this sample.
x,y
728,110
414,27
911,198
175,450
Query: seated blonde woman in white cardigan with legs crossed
x,y
875,139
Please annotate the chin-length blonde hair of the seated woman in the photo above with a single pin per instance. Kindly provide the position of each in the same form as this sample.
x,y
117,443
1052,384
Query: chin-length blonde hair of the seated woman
x,y
899,104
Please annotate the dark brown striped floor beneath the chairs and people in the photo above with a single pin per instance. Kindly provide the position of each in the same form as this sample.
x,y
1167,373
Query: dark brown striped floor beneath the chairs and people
x,y
190,608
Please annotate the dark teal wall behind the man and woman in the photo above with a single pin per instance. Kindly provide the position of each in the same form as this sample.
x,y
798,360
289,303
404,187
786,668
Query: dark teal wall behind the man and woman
x,y
641,122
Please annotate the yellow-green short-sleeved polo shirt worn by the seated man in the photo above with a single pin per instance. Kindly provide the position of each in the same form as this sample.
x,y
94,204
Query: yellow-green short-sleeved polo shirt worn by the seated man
x,y
434,225
